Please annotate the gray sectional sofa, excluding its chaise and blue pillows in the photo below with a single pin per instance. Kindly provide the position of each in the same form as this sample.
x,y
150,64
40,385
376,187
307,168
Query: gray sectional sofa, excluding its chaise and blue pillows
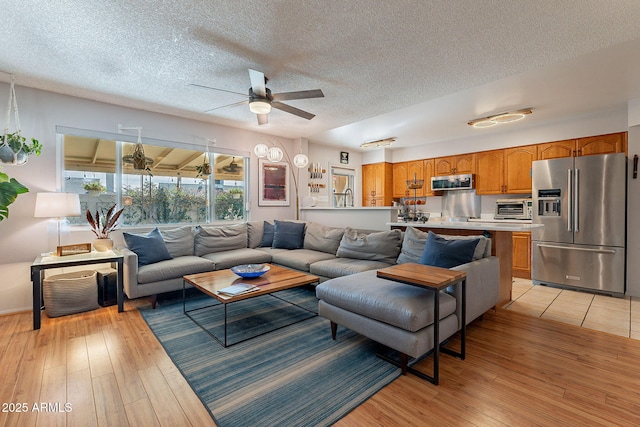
x,y
326,252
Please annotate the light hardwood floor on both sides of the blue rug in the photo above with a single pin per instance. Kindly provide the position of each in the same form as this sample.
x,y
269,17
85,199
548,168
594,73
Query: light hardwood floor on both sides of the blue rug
x,y
520,370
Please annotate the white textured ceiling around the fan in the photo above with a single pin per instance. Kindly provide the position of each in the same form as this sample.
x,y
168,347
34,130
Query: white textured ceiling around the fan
x,y
417,70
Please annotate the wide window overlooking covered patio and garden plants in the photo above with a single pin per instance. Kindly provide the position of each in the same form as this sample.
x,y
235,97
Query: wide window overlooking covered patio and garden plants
x,y
175,186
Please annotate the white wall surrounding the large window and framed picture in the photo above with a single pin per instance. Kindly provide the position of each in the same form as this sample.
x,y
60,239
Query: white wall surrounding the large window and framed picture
x,y
23,237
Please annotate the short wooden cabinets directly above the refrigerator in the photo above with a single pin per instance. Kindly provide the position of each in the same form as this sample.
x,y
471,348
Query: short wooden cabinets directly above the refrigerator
x,y
599,144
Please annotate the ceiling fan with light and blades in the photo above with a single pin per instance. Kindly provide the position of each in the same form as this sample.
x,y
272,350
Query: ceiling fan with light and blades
x,y
261,100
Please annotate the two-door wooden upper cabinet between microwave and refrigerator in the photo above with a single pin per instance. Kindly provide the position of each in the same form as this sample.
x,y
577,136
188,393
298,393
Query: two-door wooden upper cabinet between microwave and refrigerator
x,y
506,171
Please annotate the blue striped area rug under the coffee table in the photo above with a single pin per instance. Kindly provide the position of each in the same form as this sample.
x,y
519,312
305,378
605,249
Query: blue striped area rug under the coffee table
x,y
292,376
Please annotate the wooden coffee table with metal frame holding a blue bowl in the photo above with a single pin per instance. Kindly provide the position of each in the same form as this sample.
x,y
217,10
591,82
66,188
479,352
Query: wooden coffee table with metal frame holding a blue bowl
x,y
274,280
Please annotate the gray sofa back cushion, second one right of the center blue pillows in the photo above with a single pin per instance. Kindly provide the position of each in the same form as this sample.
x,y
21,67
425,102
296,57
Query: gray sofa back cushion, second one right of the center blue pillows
x,y
377,246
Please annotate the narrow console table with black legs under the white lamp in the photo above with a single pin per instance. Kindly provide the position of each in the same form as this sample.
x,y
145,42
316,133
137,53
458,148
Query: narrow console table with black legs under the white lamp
x,y
45,262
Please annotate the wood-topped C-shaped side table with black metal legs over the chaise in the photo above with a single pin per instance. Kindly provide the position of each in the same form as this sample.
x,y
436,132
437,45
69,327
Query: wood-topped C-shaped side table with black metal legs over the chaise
x,y
435,279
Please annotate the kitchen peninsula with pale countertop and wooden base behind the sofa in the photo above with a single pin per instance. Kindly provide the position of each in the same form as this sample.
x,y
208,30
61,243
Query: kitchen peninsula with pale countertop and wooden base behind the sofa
x,y
500,234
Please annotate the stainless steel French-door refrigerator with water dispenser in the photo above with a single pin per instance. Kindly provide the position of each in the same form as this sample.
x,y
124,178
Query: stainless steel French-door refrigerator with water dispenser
x,y
581,201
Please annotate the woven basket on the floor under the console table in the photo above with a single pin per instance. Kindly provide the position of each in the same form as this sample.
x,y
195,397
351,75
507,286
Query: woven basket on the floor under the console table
x,y
70,293
